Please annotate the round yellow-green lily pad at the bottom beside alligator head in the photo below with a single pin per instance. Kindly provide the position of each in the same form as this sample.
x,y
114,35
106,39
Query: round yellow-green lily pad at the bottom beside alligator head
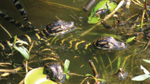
x,y
36,76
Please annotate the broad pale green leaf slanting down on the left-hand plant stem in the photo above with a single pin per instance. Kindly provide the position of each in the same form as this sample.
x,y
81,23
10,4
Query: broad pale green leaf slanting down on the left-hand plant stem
x,y
24,52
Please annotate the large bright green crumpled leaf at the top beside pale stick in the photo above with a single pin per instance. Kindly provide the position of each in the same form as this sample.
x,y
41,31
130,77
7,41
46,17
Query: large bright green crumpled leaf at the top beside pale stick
x,y
93,18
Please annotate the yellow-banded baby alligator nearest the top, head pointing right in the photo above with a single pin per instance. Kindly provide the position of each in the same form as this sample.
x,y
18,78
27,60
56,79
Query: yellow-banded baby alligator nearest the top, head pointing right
x,y
58,27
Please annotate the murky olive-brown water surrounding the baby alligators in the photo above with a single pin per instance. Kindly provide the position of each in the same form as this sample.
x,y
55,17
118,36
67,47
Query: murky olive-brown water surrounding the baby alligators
x,y
42,13
